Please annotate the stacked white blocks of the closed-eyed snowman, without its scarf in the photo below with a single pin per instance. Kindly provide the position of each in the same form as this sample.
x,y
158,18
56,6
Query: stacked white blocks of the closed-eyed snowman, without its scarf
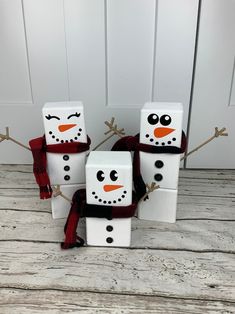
x,y
64,123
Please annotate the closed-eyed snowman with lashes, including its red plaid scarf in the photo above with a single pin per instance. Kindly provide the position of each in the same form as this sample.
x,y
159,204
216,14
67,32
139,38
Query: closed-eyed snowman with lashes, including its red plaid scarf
x,y
60,156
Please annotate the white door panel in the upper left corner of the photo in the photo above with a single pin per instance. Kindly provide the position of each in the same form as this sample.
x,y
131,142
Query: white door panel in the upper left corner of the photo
x,y
14,73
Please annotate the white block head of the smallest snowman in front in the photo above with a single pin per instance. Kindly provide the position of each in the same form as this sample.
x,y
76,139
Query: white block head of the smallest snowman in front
x,y
109,178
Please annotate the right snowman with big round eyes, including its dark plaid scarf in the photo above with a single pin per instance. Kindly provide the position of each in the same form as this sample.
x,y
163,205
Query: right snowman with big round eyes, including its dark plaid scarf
x,y
156,159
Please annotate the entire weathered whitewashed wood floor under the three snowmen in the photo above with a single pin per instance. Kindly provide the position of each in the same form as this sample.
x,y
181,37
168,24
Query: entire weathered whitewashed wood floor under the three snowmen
x,y
187,267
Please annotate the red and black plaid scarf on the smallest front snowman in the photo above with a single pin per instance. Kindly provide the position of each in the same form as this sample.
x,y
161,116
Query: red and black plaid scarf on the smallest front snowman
x,y
80,208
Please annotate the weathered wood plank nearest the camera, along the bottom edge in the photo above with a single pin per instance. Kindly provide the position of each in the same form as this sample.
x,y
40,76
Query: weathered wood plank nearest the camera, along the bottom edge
x,y
51,301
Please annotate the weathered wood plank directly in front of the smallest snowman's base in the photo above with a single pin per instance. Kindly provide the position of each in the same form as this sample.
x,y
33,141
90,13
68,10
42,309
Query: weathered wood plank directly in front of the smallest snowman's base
x,y
203,276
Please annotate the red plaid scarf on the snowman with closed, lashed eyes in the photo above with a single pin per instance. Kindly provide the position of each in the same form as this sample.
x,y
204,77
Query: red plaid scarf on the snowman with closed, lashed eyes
x,y
39,149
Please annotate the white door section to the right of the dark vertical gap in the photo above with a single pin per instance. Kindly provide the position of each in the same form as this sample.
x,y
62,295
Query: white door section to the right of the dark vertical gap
x,y
213,86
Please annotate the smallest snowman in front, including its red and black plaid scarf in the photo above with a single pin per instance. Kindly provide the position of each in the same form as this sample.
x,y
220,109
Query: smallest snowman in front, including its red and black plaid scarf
x,y
108,202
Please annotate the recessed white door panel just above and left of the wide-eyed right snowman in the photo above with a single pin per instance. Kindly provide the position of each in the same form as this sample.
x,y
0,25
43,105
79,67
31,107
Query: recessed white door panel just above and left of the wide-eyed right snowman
x,y
130,41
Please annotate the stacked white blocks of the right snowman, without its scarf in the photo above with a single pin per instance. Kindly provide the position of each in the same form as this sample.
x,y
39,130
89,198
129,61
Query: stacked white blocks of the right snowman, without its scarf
x,y
160,125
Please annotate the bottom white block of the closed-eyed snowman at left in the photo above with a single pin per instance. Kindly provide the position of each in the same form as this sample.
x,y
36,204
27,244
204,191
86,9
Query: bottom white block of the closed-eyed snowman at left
x,y
61,207
